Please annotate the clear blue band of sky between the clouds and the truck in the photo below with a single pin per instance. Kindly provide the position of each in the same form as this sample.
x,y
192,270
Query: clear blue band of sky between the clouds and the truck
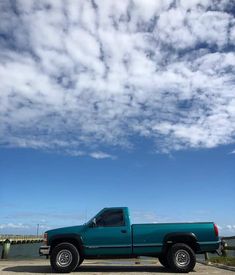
x,y
56,190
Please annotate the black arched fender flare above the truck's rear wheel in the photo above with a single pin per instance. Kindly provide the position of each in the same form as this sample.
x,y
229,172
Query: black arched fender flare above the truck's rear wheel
x,y
189,240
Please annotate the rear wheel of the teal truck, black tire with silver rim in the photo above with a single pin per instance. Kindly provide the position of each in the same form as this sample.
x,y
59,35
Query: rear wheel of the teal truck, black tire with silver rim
x,y
181,258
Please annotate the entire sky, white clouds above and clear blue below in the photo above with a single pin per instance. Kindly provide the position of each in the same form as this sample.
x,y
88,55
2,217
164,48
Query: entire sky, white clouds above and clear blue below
x,y
116,103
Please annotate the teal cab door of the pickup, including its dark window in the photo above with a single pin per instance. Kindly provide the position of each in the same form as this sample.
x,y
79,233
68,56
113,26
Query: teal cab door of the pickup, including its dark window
x,y
108,235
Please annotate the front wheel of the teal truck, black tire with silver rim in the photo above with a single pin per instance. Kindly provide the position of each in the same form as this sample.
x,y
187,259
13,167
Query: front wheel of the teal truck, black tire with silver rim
x,y
64,258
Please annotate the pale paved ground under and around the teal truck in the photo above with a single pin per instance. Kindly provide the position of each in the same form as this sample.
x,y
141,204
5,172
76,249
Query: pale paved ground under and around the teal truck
x,y
101,267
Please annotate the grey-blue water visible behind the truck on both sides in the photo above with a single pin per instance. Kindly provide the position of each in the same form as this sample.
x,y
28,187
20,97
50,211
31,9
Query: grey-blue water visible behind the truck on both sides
x,y
27,251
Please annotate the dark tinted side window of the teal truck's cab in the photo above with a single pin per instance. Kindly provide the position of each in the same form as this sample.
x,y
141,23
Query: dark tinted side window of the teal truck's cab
x,y
111,218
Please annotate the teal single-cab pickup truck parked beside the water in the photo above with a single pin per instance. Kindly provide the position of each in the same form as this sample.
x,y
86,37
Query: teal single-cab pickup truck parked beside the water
x,y
110,235
